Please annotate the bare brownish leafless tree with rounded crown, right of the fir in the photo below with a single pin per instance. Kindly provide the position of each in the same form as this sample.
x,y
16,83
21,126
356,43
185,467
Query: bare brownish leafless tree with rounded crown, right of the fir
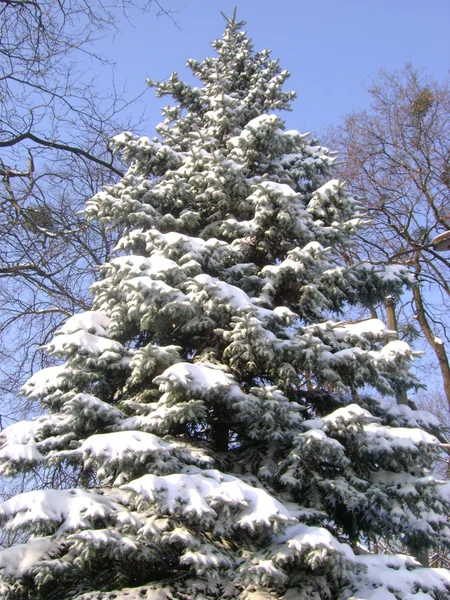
x,y
396,156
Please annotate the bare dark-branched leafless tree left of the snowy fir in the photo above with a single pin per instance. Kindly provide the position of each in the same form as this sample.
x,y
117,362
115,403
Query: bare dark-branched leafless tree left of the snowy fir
x,y
55,125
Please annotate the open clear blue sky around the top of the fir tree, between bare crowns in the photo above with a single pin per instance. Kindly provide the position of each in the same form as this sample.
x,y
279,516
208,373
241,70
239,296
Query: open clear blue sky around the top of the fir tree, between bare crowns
x,y
332,47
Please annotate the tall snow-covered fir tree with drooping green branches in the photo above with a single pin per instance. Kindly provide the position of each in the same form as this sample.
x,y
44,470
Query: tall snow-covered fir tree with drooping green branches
x,y
208,416
